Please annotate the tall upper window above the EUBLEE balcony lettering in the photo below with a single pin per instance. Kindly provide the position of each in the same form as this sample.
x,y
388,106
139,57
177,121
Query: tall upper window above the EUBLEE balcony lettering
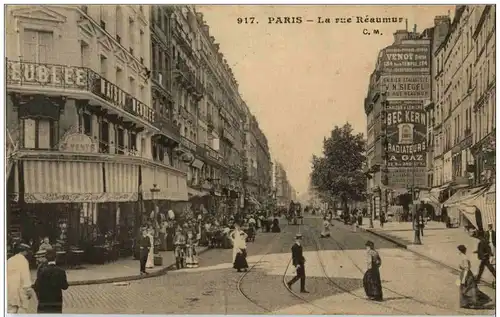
x,y
37,46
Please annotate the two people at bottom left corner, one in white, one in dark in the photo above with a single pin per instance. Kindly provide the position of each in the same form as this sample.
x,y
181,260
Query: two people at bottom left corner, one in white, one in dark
x,y
50,281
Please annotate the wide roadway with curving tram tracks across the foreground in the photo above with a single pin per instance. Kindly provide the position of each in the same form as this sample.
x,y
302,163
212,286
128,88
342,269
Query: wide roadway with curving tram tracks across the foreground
x,y
334,270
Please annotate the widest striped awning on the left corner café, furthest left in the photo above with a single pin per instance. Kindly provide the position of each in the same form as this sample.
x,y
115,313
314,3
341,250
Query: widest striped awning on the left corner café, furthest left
x,y
63,181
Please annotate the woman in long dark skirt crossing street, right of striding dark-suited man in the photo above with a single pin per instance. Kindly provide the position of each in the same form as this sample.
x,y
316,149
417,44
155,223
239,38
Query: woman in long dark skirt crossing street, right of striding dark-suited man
x,y
371,279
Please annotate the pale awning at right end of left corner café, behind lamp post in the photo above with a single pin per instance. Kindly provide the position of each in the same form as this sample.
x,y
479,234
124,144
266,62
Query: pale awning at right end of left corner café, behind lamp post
x,y
170,183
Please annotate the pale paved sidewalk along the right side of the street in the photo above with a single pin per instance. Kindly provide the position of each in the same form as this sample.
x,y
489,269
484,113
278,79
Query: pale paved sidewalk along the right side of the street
x,y
438,243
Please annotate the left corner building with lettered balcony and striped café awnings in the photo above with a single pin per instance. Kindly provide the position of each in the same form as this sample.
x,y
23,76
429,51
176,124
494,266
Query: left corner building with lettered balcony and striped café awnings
x,y
81,125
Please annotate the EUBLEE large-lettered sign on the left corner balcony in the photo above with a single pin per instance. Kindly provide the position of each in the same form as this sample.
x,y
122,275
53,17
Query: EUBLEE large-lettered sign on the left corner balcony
x,y
25,73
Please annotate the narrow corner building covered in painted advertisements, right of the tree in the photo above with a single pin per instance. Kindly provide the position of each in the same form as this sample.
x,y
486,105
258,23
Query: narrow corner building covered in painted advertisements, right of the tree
x,y
399,88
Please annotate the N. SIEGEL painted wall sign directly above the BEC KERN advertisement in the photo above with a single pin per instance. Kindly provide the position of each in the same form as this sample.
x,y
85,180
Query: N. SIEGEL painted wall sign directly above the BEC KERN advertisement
x,y
407,86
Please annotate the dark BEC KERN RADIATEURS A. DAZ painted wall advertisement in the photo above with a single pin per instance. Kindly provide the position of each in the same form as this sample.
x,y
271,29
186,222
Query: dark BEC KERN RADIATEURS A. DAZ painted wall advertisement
x,y
406,129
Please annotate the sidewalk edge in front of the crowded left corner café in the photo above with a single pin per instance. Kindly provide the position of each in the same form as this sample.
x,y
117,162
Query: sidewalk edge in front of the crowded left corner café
x,y
126,269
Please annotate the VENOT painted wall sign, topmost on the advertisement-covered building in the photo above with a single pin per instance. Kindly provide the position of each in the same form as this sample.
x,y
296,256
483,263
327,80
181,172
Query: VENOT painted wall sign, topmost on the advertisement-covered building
x,y
406,59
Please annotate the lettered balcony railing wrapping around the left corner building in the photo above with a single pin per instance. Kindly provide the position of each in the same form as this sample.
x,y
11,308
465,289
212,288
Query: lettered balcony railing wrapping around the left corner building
x,y
75,78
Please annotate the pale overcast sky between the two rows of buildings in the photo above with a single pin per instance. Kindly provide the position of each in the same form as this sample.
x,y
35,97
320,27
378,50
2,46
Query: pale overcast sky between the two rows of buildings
x,y
301,80
